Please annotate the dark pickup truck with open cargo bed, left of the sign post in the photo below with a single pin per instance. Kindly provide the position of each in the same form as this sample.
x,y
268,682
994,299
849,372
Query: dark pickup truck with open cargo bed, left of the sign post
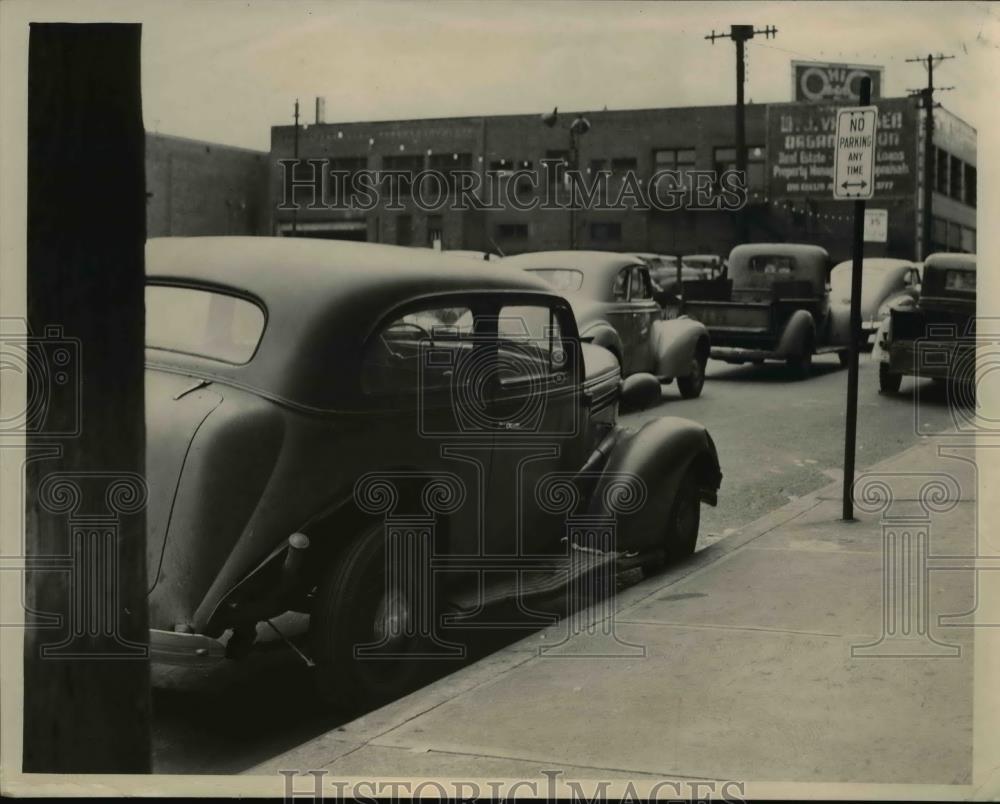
x,y
774,305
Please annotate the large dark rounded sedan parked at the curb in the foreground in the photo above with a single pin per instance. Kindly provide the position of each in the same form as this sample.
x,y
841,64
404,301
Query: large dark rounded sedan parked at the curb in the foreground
x,y
304,395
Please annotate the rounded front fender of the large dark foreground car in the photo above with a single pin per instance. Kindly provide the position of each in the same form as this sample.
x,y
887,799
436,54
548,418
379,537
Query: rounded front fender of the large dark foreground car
x,y
639,481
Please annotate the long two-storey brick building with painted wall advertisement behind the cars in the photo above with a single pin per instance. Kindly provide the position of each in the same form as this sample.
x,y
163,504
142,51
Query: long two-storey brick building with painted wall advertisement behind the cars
x,y
789,153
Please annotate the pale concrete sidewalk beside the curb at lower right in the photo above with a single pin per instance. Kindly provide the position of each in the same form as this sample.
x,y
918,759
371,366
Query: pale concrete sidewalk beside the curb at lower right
x,y
744,663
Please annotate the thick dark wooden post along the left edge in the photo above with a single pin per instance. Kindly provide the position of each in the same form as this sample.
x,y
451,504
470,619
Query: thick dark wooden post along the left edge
x,y
86,678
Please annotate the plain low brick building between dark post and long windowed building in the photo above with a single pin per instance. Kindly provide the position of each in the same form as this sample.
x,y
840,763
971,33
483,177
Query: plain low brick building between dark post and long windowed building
x,y
204,188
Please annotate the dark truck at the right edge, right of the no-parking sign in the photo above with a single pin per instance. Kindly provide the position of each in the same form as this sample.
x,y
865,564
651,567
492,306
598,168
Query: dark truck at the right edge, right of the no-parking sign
x,y
934,338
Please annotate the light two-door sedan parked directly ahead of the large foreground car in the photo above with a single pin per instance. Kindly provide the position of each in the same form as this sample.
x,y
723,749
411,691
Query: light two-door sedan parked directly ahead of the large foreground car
x,y
612,297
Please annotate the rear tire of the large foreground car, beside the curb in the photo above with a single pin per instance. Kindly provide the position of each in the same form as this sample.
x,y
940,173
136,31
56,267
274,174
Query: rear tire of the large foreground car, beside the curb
x,y
353,607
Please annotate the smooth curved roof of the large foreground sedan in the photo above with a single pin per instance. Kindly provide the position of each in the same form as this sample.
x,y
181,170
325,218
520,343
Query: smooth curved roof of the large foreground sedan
x,y
322,298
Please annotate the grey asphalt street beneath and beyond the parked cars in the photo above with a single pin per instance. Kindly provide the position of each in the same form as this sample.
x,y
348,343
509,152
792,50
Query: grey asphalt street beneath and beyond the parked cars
x,y
778,439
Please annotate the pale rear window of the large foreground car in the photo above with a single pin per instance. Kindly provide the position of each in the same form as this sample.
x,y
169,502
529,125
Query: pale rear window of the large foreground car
x,y
201,322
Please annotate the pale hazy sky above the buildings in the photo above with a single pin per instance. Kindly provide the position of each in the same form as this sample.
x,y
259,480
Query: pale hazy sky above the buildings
x,y
228,70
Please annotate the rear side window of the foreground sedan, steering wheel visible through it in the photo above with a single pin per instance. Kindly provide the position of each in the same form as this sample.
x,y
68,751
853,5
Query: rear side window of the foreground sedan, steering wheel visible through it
x,y
417,350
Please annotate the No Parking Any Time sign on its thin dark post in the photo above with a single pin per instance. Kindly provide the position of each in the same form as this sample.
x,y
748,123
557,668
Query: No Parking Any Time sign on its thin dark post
x,y
854,179
